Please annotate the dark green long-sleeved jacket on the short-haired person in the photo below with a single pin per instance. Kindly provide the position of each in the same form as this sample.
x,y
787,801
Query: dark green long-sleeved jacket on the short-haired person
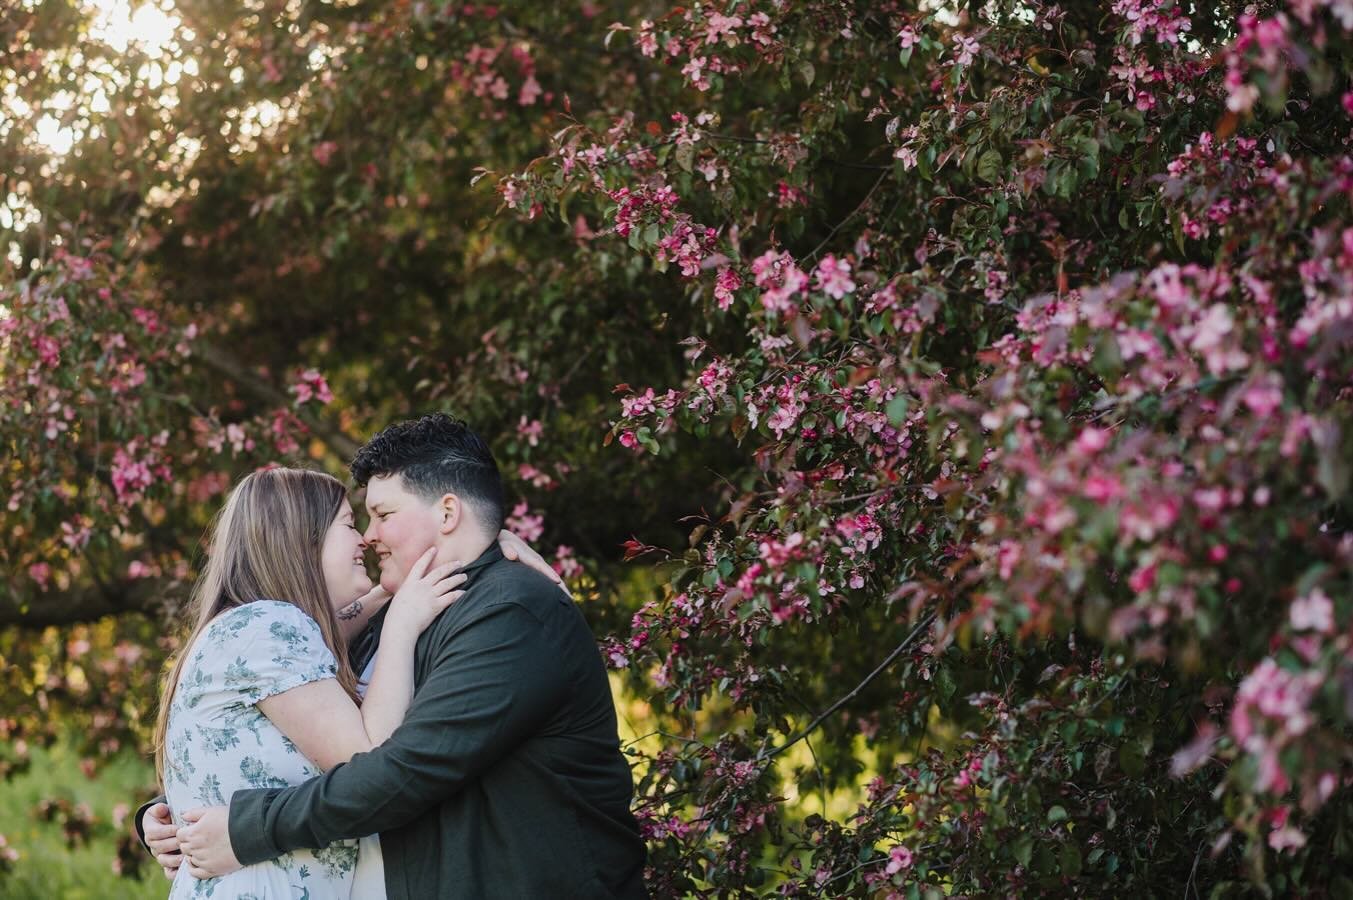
x,y
505,779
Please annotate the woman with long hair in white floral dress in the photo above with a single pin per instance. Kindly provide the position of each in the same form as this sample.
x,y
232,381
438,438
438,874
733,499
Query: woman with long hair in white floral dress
x,y
285,558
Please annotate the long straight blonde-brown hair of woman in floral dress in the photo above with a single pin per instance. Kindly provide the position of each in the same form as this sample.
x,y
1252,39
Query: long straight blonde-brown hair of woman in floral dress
x,y
266,545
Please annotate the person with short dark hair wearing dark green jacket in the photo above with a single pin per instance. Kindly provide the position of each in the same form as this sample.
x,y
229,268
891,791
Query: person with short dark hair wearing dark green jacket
x,y
505,779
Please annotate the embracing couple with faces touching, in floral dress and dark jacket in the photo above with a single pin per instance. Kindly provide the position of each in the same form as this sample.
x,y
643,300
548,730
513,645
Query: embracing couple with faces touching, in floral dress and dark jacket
x,y
321,740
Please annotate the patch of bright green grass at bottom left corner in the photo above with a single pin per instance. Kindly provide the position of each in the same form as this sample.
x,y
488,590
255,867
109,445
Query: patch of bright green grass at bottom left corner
x,y
48,868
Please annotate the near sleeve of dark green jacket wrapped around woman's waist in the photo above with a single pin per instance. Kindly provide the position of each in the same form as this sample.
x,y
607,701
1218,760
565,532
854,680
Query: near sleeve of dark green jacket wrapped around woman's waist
x,y
495,688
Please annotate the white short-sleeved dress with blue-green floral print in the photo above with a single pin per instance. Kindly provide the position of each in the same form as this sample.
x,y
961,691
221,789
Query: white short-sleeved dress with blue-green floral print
x,y
219,742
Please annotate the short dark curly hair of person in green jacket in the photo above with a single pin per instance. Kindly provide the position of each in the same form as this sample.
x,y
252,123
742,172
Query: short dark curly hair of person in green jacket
x,y
436,455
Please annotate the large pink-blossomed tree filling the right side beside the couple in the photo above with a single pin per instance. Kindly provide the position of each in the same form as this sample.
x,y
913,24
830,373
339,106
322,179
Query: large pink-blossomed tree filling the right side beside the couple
x,y
1036,323
